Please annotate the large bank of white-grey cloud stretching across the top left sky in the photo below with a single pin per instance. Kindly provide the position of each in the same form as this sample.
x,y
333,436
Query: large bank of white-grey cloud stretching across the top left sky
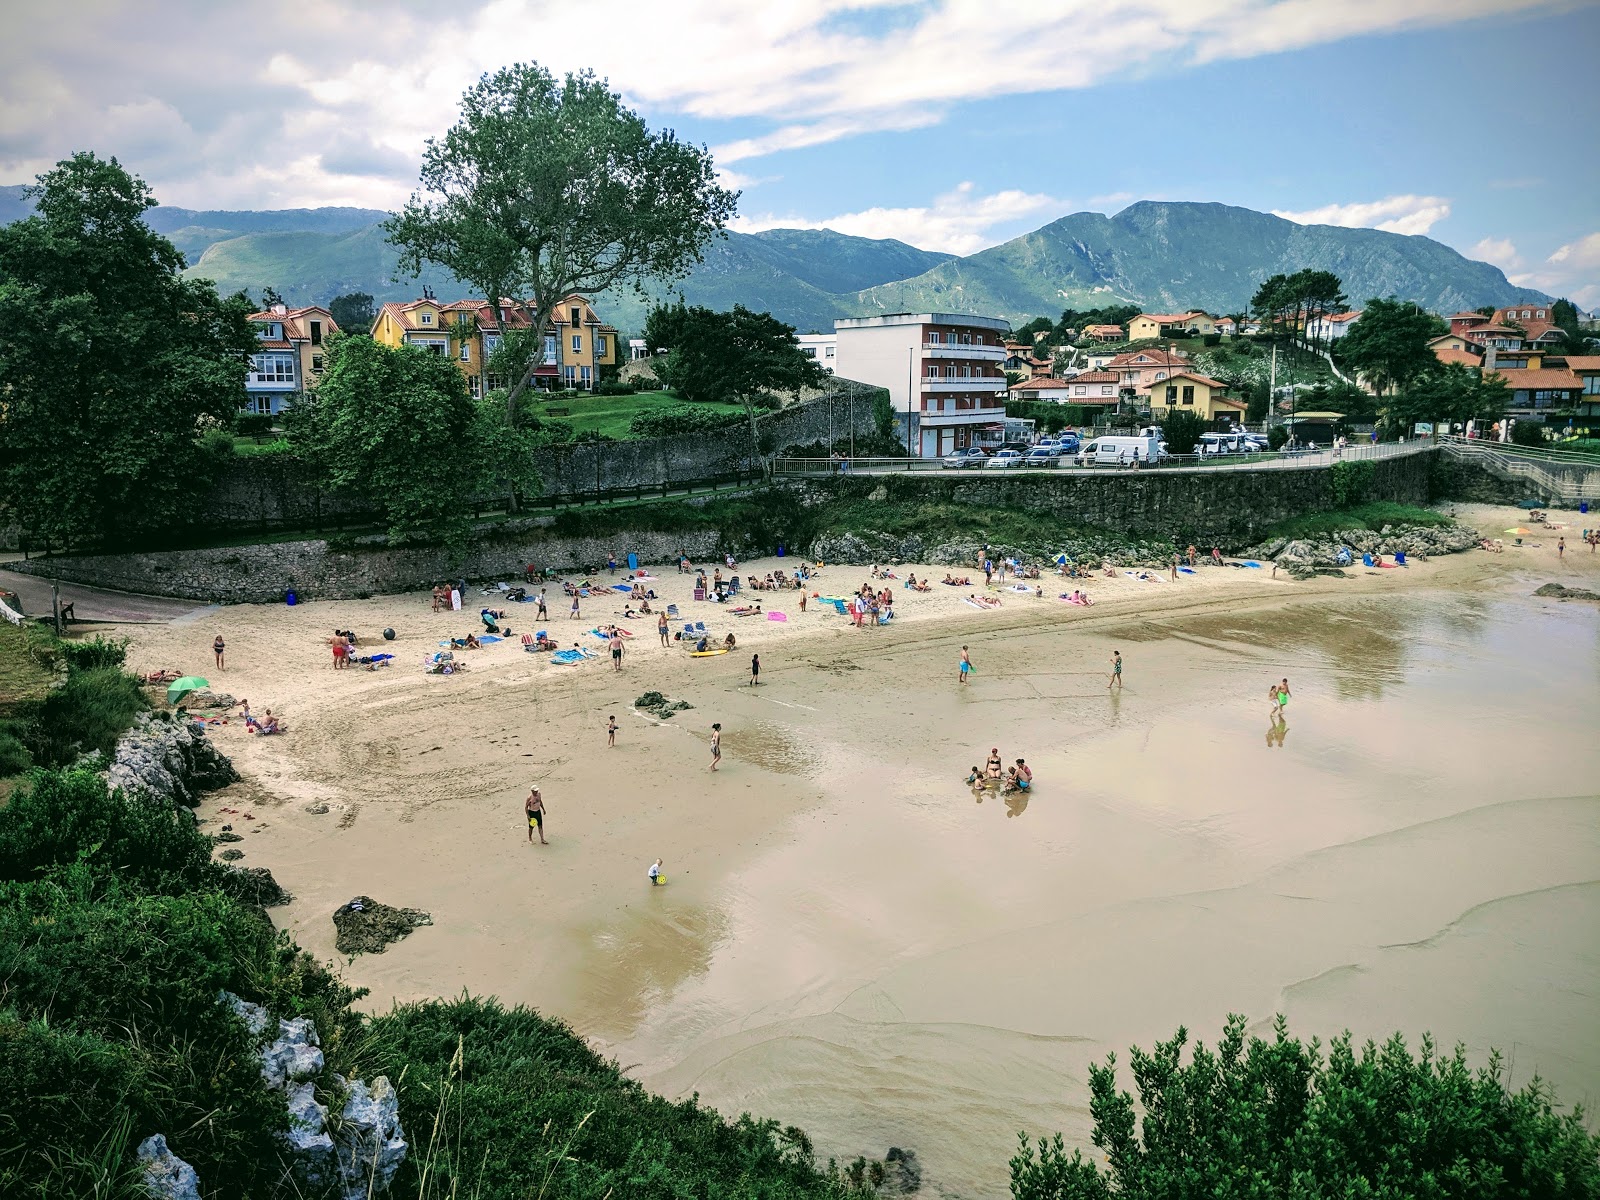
x,y
223,116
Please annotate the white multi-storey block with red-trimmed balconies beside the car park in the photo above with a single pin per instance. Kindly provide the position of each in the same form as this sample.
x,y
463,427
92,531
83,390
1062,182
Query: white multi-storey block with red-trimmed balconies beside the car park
x,y
943,372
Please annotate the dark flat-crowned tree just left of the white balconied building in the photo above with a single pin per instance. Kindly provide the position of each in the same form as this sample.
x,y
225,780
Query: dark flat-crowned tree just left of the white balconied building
x,y
737,358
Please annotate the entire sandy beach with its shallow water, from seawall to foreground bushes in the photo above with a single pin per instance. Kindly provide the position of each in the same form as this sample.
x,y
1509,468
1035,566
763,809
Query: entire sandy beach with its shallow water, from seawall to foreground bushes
x,y
852,943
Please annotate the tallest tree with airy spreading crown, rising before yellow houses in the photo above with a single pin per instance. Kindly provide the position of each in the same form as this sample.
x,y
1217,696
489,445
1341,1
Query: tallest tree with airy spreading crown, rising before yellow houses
x,y
548,188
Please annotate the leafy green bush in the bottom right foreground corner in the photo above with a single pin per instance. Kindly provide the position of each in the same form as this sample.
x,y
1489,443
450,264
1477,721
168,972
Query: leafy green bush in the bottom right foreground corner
x,y
1281,1119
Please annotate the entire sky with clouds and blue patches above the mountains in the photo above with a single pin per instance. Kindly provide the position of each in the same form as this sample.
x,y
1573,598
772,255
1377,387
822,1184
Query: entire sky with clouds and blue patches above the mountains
x,y
948,124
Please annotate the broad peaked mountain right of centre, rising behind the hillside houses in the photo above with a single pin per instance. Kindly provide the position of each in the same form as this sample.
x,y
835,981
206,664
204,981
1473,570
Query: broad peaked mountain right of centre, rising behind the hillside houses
x,y
1169,257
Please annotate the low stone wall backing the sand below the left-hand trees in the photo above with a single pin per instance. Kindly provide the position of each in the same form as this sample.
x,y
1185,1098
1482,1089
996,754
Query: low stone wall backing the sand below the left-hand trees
x,y
364,567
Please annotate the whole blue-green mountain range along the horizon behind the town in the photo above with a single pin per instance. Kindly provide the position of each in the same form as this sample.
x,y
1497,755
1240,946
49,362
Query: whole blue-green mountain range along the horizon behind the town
x,y
1161,255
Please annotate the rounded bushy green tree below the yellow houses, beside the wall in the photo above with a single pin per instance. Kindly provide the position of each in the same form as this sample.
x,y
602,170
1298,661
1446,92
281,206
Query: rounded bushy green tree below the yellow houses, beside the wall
x,y
399,430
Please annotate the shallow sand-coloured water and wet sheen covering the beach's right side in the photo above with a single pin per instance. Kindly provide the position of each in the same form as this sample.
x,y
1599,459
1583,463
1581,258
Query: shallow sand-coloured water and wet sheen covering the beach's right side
x,y
1420,850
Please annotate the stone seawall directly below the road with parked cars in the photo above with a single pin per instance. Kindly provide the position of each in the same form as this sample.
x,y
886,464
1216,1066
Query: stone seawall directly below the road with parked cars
x,y
1228,508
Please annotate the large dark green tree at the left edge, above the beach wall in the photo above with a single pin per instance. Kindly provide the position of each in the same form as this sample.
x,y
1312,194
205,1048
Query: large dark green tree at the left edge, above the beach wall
x,y
111,362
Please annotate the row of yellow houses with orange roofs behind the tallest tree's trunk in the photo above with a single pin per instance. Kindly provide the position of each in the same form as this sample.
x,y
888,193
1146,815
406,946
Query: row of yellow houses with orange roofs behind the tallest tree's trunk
x,y
468,332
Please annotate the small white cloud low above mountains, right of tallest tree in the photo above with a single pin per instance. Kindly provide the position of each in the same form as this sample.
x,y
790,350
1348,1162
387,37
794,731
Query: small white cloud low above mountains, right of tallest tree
x,y
961,222
